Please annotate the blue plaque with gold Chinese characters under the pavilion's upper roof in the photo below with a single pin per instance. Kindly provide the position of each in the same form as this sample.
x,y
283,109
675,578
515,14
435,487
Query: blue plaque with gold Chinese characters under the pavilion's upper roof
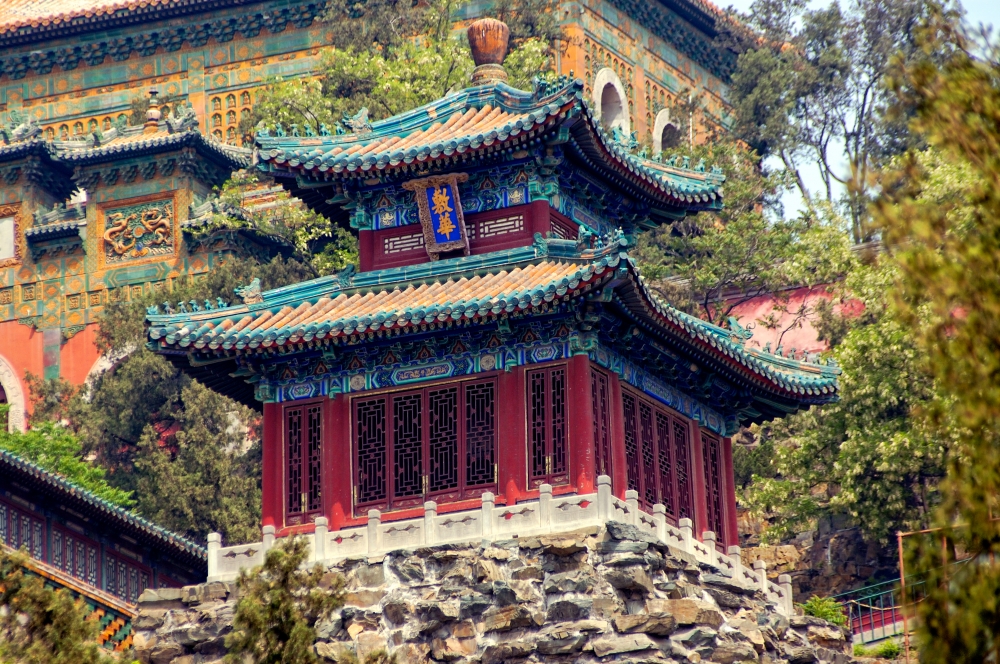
x,y
440,212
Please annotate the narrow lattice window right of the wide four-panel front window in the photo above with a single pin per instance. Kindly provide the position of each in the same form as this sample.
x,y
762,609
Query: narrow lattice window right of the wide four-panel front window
x,y
547,439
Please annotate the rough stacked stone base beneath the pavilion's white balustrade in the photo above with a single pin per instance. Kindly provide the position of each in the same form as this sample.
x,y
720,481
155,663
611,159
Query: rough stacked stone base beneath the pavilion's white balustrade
x,y
592,595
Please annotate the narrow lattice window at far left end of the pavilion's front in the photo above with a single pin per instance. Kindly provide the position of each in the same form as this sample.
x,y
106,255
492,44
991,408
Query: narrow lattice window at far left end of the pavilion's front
x,y
303,460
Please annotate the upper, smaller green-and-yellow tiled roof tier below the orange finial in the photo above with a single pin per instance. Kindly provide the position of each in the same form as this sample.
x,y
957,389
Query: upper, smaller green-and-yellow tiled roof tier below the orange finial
x,y
482,121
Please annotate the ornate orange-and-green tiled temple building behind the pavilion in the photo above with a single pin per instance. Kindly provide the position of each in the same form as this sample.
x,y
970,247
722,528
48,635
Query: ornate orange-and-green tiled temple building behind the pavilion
x,y
70,71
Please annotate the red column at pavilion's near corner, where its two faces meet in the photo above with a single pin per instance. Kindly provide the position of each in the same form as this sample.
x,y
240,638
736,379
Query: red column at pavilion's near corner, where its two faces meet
x,y
581,414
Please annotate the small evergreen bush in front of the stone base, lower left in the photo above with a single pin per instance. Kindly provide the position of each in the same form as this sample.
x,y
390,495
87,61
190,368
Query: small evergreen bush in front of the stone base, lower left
x,y
279,606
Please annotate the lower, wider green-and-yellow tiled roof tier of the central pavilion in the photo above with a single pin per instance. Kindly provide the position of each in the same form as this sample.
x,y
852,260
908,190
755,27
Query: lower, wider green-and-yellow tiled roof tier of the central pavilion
x,y
474,288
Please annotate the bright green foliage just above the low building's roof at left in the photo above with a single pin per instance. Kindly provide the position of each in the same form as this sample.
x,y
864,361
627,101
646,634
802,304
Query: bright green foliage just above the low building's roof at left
x,y
58,450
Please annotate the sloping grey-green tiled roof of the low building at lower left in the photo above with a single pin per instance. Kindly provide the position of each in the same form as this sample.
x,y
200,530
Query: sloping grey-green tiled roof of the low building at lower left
x,y
83,500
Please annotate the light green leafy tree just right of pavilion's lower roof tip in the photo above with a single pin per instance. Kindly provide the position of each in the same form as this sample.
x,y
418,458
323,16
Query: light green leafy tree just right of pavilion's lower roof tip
x,y
865,455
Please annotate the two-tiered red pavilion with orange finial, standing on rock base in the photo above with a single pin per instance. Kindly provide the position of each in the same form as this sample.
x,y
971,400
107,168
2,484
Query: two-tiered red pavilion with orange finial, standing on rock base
x,y
497,346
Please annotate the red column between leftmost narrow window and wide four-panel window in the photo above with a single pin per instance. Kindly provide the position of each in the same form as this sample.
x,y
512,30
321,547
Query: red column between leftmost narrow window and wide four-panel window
x,y
337,478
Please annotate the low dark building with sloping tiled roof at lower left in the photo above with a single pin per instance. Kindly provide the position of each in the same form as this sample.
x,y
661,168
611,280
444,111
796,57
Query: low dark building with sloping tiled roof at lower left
x,y
94,549
